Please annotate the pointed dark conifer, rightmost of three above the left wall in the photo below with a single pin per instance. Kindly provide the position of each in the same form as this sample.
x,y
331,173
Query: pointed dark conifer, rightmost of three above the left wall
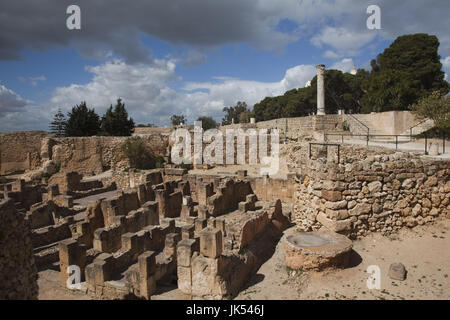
x,y
115,122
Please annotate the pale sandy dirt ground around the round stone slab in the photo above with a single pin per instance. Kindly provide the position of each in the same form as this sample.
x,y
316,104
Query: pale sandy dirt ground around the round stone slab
x,y
423,250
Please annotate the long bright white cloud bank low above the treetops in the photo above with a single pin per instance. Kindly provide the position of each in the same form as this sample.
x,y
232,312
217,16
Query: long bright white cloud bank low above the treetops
x,y
149,98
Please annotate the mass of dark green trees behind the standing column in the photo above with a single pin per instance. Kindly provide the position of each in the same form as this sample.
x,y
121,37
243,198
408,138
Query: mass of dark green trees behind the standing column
x,y
410,69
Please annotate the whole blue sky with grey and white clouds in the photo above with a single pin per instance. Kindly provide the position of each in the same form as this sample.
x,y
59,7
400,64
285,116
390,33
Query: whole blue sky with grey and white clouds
x,y
194,57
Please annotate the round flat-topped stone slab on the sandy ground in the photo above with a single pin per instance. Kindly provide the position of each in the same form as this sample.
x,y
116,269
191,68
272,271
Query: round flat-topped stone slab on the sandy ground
x,y
317,250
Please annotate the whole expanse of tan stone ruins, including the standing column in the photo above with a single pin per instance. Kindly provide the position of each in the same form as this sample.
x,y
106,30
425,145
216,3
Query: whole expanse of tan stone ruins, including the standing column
x,y
75,206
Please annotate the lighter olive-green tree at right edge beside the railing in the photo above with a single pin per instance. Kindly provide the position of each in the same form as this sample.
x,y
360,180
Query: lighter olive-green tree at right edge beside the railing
x,y
436,107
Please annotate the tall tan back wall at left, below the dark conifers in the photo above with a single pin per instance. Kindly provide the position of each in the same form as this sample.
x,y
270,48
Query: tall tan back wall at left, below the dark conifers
x,y
29,150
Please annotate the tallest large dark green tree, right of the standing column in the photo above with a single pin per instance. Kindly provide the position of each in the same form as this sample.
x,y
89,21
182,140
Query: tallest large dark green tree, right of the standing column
x,y
410,69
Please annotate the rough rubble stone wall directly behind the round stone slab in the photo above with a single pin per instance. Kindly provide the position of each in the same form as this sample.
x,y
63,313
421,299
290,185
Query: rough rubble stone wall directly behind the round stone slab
x,y
373,193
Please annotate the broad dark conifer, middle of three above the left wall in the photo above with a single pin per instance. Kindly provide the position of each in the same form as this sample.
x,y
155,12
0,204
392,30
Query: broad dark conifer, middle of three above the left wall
x,y
82,122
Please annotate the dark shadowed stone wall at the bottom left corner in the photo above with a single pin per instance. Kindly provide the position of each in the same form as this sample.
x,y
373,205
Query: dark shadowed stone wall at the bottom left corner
x,y
18,277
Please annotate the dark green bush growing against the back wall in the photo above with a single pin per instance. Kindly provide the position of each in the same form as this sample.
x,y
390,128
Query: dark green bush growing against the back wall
x,y
136,152
